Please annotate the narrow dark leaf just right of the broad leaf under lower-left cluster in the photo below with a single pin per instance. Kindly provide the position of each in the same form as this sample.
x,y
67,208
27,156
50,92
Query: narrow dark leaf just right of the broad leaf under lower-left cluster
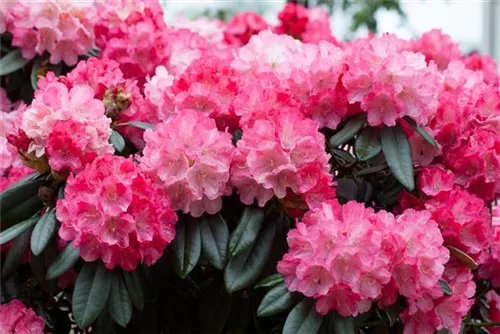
x,y
119,302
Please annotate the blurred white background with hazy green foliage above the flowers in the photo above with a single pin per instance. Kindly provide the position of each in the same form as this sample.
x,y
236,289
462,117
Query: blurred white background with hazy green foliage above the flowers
x,y
475,24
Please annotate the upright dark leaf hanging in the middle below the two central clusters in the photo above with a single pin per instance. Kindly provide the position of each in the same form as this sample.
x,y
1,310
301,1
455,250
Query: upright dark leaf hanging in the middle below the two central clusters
x,y
214,240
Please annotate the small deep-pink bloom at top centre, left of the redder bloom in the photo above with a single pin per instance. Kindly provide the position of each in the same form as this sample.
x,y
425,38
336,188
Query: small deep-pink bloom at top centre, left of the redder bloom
x,y
242,26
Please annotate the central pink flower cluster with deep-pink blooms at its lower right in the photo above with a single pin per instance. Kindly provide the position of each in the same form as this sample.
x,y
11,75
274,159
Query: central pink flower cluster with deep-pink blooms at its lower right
x,y
281,151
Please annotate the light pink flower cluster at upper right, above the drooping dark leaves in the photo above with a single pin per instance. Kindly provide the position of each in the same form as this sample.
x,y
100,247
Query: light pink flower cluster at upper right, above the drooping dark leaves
x,y
389,82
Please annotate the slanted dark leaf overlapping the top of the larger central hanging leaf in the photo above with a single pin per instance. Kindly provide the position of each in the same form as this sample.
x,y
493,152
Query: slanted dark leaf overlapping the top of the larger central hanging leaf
x,y
247,230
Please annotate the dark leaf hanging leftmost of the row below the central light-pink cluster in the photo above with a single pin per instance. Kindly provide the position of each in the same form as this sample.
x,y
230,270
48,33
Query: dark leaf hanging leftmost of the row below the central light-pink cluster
x,y
186,246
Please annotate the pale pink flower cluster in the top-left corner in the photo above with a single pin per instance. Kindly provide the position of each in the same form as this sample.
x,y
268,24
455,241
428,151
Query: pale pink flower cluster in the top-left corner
x,y
64,29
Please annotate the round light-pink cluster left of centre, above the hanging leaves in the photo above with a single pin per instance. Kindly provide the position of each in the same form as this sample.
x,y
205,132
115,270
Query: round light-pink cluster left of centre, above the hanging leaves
x,y
190,159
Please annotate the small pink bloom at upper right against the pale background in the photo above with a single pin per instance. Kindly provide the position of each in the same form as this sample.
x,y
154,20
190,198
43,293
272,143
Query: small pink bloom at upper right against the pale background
x,y
437,47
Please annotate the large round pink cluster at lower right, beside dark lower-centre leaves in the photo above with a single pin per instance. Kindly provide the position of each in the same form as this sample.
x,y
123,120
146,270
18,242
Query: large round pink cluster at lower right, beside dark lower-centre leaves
x,y
336,256
